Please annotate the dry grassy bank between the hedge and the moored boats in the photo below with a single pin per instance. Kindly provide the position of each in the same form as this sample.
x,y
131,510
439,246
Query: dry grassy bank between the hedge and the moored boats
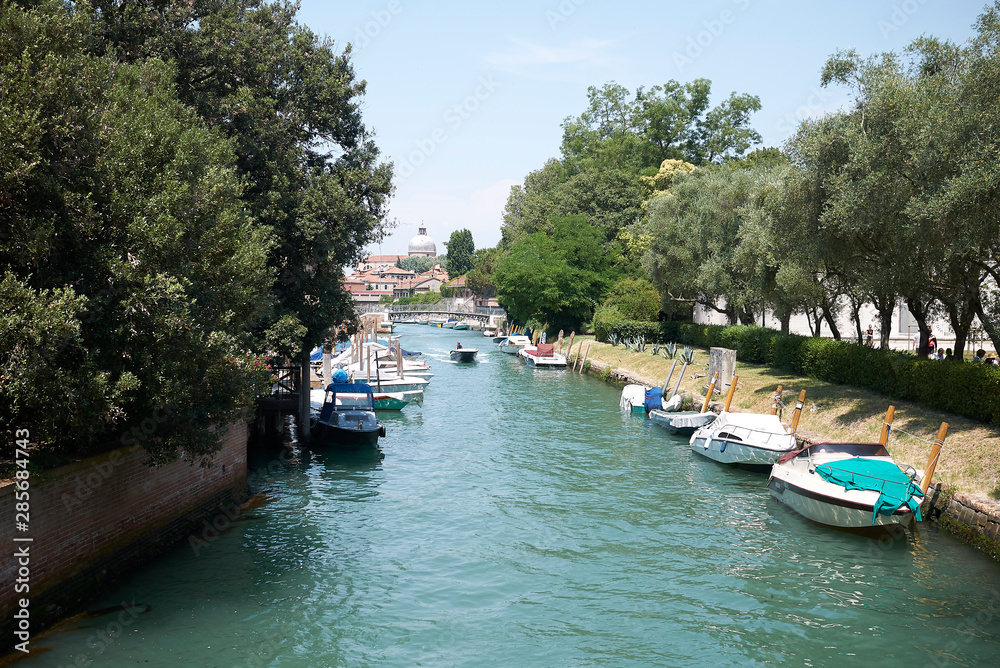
x,y
970,460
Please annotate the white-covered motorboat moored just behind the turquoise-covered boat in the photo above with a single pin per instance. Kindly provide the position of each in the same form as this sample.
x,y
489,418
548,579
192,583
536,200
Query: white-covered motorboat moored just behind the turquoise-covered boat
x,y
747,440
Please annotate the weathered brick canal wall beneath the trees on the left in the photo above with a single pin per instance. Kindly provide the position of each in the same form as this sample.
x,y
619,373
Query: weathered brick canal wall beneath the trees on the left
x,y
95,520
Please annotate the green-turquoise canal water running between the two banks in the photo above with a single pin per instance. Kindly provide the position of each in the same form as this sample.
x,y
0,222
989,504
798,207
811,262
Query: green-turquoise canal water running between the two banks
x,y
518,518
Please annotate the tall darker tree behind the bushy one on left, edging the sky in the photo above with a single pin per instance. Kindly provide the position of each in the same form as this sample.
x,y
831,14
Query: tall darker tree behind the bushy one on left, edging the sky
x,y
291,105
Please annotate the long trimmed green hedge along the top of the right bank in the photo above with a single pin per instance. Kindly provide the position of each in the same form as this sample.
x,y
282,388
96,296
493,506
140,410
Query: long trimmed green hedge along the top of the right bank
x,y
970,390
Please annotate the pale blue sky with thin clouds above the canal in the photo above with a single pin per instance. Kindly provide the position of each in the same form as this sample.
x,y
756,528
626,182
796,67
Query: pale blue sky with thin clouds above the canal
x,y
466,98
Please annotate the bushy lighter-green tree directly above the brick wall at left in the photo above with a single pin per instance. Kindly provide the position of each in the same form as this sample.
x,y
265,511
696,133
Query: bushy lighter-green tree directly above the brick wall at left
x,y
129,256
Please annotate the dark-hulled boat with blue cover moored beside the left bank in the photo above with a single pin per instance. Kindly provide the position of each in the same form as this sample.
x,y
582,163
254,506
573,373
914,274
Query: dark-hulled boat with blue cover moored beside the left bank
x,y
347,419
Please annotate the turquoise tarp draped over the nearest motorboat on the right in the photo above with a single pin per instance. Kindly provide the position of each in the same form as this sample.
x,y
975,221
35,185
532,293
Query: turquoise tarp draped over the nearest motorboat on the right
x,y
877,475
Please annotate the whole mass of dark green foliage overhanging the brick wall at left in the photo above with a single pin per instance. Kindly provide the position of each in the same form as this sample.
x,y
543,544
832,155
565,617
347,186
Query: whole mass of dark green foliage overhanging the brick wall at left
x,y
179,188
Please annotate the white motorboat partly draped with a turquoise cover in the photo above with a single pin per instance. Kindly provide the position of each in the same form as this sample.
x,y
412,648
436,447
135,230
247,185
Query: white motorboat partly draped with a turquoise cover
x,y
848,485
